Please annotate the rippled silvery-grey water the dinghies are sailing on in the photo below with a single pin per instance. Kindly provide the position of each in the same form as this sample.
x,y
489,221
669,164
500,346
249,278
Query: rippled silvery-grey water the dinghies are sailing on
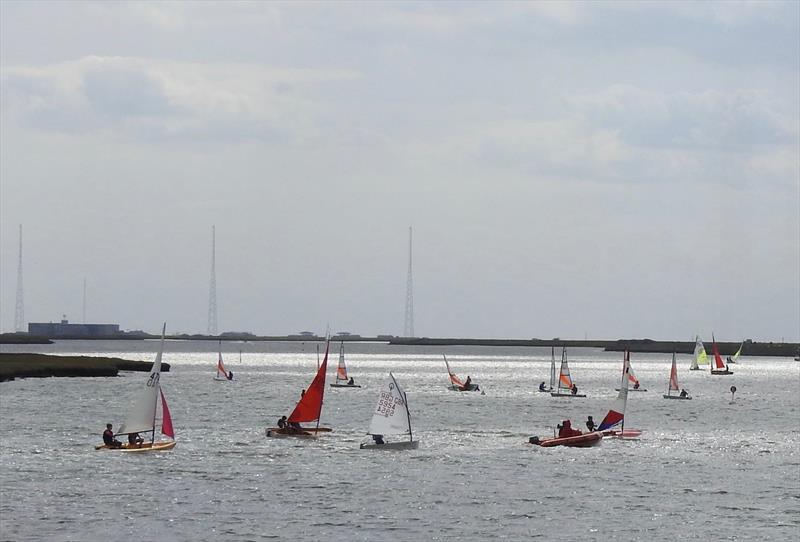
x,y
704,469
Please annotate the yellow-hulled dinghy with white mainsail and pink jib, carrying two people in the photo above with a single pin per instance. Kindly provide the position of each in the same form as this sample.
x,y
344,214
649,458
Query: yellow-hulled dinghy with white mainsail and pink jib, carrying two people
x,y
143,416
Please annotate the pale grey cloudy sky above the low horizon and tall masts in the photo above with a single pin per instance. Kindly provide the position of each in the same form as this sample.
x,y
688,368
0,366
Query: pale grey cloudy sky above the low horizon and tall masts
x,y
570,169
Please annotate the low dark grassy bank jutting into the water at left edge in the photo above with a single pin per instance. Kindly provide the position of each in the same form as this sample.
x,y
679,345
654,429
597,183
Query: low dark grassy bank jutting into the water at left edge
x,y
42,366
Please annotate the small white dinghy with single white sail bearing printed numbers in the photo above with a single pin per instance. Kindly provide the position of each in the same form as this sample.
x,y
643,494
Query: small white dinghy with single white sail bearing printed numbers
x,y
391,417
